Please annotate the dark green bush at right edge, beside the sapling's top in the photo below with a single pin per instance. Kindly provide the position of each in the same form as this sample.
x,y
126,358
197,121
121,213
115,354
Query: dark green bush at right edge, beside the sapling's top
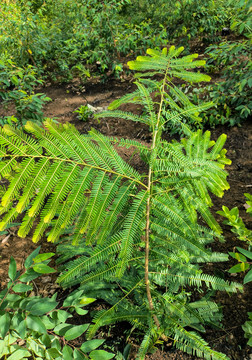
x,y
232,93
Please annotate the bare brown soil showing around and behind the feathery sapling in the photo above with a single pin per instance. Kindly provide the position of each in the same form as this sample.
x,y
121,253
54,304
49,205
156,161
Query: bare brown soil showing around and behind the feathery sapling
x,y
67,98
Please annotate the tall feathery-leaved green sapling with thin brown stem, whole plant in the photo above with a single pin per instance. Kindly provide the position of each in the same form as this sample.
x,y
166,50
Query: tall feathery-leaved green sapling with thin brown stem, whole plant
x,y
136,236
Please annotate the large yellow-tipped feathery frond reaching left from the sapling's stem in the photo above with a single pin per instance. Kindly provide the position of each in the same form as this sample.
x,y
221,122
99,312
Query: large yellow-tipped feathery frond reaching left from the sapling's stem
x,y
57,169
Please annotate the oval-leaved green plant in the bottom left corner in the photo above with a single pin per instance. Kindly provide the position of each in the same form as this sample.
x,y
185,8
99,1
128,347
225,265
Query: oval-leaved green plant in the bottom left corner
x,y
37,326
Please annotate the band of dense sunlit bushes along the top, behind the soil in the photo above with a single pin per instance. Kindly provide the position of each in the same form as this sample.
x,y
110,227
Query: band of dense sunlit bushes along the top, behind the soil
x,y
56,35
